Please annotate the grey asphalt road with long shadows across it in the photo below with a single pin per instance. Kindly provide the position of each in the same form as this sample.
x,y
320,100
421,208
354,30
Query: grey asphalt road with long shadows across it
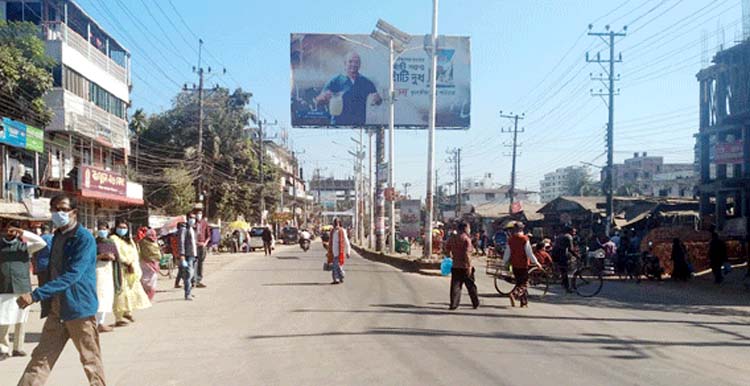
x,y
277,321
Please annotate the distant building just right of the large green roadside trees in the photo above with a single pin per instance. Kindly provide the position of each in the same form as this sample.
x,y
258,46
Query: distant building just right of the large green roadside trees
x,y
294,200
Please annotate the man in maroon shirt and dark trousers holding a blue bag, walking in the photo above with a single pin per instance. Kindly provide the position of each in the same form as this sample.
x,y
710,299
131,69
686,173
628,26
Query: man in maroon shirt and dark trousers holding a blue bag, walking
x,y
462,273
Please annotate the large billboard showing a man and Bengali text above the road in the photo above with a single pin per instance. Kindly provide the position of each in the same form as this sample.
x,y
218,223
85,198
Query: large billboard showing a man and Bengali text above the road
x,y
342,81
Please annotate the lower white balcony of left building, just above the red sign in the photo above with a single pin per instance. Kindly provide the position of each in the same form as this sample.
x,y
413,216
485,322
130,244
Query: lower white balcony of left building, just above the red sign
x,y
75,114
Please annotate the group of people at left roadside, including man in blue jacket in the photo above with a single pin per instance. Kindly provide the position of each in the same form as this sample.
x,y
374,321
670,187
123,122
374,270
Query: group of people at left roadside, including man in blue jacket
x,y
82,277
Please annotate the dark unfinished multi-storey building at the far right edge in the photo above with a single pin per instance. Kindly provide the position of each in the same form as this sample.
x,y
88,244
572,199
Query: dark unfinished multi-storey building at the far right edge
x,y
724,141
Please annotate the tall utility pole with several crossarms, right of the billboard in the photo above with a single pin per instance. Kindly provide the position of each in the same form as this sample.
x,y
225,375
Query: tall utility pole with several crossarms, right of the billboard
x,y
609,38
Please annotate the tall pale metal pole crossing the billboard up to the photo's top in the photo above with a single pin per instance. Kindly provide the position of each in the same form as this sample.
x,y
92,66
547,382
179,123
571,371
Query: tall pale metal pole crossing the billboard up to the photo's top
x,y
431,135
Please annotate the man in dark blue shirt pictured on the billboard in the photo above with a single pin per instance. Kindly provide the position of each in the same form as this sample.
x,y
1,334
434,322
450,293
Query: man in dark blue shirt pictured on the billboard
x,y
347,94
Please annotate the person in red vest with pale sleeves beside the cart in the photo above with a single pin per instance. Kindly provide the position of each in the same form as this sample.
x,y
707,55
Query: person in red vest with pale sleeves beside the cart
x,y
520,256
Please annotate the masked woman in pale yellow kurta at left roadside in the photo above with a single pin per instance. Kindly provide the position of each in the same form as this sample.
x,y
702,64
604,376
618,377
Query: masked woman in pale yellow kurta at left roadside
x,y
131,297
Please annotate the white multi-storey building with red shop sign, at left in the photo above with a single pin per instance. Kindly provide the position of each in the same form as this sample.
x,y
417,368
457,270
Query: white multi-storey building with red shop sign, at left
x,y
86,145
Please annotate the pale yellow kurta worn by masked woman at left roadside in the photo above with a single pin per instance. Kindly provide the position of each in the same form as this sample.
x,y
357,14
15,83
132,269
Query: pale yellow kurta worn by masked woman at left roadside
x,y
131,296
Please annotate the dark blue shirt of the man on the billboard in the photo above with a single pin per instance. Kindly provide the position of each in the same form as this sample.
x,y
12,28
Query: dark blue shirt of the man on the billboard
x,y
354,98
